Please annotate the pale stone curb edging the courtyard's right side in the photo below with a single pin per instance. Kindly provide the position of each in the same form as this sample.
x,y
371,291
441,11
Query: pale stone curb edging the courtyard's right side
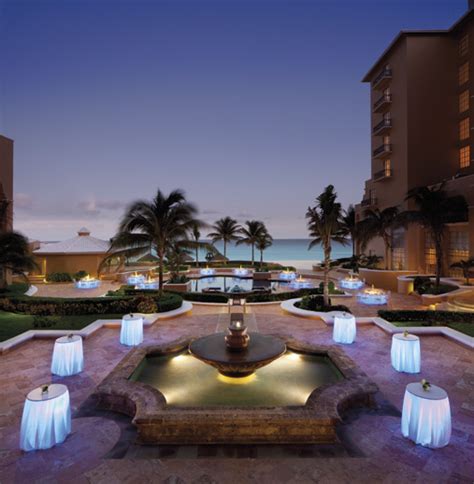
x,y
328,318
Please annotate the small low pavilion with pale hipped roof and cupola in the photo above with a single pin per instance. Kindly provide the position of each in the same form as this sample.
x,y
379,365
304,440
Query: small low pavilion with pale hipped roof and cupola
x,y
81,253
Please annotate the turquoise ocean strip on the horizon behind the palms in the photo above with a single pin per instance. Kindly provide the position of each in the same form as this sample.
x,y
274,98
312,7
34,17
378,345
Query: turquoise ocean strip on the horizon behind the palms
x,y
285,251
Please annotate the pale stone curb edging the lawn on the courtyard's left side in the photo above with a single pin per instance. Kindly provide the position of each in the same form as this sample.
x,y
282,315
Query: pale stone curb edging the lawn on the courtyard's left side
x,y
148,320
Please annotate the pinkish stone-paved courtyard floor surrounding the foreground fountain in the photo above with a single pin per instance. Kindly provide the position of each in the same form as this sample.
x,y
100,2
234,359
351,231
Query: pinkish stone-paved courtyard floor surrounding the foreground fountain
x,y
372,449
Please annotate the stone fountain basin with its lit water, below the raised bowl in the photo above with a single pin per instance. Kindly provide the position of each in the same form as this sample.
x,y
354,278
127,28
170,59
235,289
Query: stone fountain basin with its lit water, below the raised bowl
x,y
168,416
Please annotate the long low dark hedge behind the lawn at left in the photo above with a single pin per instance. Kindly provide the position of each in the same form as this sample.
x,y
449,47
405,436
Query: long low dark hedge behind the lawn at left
x,y
50,306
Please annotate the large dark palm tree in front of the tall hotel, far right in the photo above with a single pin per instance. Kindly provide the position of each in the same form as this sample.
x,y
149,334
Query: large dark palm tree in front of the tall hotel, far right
x,y
435,209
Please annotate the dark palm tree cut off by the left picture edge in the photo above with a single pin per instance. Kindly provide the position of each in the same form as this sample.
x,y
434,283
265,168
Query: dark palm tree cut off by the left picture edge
x,y
15,254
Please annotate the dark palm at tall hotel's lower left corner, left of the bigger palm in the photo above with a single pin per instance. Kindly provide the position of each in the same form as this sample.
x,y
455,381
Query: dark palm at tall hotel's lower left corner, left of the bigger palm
x,y
379,223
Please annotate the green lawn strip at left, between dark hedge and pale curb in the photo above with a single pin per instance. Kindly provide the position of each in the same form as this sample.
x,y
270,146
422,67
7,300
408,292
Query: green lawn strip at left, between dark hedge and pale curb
x,y
12,324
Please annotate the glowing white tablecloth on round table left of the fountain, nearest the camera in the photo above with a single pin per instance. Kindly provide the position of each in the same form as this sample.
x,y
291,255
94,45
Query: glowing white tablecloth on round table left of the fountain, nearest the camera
x,y
46,419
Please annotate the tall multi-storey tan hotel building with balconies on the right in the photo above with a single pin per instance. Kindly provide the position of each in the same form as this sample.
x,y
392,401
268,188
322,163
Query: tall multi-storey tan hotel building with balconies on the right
x,y
422,113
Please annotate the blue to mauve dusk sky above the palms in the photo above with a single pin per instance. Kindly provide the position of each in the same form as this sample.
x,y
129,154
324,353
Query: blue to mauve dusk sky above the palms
x,y
251,106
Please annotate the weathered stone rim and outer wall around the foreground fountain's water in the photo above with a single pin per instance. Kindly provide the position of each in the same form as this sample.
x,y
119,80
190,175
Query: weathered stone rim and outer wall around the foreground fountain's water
x,y
159,423
